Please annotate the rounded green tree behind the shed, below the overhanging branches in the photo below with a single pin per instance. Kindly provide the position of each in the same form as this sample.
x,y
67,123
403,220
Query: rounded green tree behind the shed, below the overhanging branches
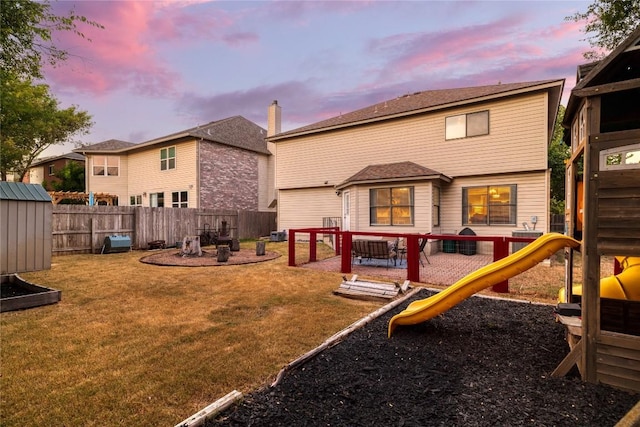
x,y
31,122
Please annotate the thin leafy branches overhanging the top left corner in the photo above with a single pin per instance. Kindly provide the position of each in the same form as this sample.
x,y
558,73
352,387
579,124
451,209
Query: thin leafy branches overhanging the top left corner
x,y
25,36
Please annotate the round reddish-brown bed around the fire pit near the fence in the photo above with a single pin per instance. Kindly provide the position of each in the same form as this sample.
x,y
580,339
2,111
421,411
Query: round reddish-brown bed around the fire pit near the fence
x,y
209,258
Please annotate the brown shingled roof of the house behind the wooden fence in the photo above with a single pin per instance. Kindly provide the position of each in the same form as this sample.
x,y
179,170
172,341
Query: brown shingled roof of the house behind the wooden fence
x,y
234,131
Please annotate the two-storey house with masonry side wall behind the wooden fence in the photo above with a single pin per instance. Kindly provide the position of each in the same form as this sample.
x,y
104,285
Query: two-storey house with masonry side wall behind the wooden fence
x,y
223,165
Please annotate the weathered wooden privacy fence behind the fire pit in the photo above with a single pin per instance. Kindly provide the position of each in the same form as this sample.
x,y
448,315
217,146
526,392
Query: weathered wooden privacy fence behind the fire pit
x,y
82,229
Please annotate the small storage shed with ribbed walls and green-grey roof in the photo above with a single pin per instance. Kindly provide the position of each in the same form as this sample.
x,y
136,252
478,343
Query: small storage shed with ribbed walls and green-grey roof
x,y
25,228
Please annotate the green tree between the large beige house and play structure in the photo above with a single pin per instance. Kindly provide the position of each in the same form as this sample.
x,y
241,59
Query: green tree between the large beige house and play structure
x,y
557,154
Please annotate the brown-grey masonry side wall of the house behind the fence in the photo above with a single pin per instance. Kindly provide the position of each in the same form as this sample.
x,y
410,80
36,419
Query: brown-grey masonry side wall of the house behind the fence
x,y
228,177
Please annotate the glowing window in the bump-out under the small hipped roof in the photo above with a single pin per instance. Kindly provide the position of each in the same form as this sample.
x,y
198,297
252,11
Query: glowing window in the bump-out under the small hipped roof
x,y
391,206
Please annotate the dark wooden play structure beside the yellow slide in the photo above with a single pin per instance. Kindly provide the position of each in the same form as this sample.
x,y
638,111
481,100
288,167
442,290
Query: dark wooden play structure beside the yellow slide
x,y
602,120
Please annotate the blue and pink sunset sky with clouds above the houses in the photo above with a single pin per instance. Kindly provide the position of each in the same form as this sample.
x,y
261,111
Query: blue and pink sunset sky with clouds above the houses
x,y
159,67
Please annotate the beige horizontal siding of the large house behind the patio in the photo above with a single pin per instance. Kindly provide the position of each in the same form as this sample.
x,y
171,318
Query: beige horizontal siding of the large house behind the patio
x,y
514,152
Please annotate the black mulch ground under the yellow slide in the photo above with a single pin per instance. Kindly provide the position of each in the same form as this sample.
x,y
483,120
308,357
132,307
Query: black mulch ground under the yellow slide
x,y
483,363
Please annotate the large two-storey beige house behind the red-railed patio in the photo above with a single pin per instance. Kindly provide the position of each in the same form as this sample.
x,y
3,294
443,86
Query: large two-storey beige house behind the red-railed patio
x,y
434,161
